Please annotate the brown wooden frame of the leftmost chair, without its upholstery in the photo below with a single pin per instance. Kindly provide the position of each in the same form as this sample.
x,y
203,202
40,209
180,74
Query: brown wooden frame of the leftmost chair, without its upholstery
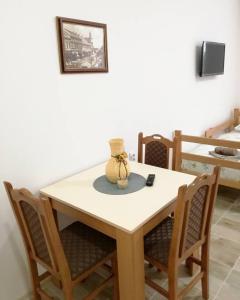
x,y
59,268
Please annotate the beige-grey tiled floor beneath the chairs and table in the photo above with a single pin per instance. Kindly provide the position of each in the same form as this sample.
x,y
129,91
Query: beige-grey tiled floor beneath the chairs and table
x,y
224,259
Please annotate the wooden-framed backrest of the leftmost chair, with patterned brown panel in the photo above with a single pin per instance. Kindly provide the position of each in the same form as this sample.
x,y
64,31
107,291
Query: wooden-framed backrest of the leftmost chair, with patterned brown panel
x,y
38,228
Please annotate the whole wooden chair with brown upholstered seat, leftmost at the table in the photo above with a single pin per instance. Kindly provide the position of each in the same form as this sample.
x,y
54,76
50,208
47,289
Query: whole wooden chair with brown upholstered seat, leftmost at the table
x,y
69,256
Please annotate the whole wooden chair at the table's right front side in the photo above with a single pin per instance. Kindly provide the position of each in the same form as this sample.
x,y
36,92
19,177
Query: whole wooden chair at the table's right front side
x,y
176,239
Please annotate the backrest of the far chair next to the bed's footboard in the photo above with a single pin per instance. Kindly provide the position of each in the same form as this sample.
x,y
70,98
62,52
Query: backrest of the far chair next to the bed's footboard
x,y
157,149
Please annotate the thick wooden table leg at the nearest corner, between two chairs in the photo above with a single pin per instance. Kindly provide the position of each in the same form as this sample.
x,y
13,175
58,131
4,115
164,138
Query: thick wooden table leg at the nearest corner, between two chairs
x,y
130,256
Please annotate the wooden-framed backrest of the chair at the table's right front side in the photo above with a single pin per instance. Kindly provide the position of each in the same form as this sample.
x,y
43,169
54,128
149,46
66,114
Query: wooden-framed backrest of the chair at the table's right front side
x,y
193,213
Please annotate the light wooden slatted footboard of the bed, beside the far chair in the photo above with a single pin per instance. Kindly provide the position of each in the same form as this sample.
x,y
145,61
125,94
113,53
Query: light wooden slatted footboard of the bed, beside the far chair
x,y
179,138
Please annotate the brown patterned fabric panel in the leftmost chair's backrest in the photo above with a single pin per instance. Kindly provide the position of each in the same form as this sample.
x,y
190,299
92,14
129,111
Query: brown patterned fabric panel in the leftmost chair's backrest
x,y
35,229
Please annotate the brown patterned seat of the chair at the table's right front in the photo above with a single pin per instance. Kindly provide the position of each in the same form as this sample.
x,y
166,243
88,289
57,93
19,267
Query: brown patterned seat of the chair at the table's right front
x,y
157,242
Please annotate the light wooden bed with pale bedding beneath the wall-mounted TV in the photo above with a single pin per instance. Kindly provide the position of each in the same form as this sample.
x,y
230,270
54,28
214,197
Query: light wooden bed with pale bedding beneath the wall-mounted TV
x,y
202,158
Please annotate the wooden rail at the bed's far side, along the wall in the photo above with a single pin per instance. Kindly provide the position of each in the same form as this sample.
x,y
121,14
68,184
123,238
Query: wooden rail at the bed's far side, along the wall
x,y
226,126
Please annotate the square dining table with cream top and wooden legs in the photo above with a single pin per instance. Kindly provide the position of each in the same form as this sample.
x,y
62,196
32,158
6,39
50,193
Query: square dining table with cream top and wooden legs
x,y
127,218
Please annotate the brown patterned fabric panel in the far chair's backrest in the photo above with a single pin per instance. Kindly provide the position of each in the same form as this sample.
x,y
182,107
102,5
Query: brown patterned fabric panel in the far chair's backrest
x,y
156,154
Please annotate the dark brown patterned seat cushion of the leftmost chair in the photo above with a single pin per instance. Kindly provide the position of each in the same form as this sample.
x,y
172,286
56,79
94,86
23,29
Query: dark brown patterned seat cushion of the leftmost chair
x,y
84,247
